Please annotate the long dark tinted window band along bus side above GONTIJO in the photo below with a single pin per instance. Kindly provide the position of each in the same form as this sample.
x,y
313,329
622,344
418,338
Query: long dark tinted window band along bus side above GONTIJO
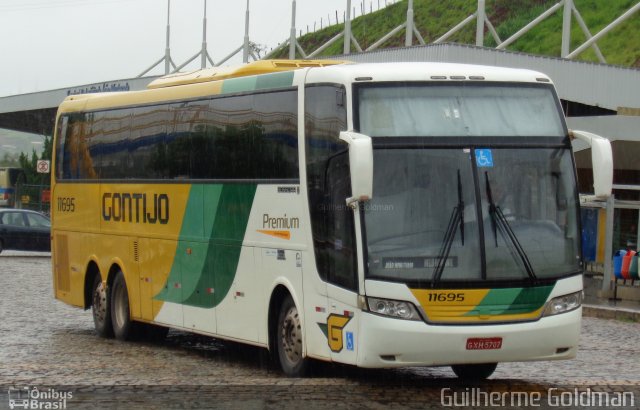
x,y
228,137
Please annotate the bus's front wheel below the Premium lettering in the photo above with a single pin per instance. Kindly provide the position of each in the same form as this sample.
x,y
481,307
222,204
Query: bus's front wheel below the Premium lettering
x,y
289,340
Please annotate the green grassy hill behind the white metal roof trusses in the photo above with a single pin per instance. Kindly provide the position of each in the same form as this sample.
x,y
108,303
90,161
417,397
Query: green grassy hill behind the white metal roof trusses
x,y
434,18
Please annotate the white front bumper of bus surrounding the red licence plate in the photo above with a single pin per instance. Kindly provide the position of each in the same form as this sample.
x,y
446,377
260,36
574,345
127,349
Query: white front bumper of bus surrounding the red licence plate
x,y
388,342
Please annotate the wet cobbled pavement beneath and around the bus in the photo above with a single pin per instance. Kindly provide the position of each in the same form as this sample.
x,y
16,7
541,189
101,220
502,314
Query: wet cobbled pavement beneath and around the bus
x,y
49,346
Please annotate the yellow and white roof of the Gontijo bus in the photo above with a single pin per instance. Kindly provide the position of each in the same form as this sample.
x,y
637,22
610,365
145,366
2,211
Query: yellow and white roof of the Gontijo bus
x,y
213,81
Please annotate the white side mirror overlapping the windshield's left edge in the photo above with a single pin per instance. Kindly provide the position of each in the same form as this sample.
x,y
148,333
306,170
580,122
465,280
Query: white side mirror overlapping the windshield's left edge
x,y
360,165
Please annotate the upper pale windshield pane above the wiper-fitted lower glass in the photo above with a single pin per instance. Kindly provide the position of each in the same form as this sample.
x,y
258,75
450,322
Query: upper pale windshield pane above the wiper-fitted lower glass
x,y
463,109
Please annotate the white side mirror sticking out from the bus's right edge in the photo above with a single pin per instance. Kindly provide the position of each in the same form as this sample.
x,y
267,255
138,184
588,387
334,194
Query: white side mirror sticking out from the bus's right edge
x,y
602,160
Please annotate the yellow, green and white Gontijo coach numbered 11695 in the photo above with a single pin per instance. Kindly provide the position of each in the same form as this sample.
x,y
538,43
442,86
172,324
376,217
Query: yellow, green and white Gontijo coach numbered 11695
x,y
377,215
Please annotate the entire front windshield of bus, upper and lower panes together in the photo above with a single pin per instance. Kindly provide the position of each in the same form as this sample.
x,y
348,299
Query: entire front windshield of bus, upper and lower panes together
x,y
442,214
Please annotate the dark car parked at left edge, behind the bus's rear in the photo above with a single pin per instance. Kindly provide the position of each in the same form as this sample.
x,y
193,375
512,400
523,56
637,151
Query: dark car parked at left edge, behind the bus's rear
x,y
24,230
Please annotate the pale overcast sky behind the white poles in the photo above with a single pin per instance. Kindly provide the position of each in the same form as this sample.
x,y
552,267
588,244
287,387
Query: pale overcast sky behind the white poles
x,y
49,44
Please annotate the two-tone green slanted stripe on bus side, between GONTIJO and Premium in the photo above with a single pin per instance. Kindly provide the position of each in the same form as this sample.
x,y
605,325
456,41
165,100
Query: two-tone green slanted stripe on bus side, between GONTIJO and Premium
x,y
205,270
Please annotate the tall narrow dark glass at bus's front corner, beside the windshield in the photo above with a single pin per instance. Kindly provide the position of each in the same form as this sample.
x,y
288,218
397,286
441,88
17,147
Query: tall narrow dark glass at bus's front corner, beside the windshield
x,y
329,185
